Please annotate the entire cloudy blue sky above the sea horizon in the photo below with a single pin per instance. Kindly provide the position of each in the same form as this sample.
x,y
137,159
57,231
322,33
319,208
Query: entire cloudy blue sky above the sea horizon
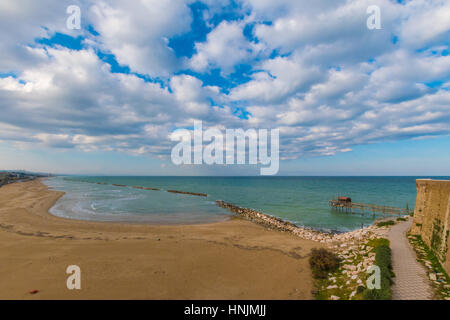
x,y
104,99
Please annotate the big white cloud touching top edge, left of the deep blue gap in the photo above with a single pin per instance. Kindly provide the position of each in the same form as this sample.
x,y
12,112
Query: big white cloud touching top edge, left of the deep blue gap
x,y
137,32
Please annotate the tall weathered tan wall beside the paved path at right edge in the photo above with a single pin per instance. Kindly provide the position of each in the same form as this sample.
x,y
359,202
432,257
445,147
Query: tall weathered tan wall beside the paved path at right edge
x,y
432,217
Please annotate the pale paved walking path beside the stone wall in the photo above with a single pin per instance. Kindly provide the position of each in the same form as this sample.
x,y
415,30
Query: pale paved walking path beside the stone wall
x,y
411,280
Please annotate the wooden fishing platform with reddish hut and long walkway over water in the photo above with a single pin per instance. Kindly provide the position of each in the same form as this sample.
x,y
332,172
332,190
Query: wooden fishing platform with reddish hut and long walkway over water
x,y
345,204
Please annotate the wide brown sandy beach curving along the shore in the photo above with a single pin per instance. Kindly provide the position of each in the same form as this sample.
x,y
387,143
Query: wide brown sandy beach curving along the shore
x,y
235,259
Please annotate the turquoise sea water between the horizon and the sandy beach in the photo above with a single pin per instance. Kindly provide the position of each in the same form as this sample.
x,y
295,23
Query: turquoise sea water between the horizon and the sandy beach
x,y
301,200
